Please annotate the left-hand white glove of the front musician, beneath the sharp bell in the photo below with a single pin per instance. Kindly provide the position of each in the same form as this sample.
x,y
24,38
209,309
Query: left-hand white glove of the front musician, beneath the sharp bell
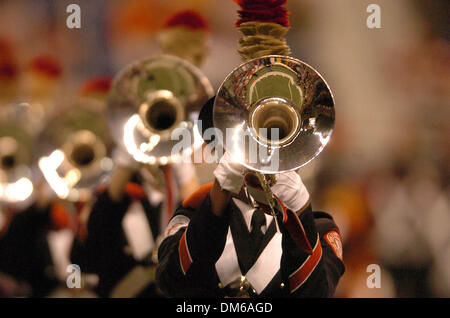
x,y
229,174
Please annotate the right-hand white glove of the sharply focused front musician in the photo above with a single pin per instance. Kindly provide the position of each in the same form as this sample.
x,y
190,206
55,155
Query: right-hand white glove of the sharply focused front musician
x,y
290,189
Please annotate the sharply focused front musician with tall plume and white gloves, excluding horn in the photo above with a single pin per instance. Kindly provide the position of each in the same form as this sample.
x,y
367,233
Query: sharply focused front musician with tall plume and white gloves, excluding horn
x,y
220,244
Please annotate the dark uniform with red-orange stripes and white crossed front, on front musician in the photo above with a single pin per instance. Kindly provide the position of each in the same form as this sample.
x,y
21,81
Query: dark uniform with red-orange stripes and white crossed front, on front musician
x,y
208,256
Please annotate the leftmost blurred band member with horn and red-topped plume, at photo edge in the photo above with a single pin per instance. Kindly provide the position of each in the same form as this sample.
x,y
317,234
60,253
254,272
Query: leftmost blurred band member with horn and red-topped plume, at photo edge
x,y
30,215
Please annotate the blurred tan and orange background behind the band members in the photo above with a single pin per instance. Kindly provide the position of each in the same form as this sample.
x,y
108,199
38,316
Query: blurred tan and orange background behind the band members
x,y
383,176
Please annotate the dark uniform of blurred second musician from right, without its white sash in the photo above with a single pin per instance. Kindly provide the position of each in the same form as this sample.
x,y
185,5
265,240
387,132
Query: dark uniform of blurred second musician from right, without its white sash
x,y
105,250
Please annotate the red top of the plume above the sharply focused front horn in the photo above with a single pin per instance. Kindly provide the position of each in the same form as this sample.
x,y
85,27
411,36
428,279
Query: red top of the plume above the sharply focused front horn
x,y
270,11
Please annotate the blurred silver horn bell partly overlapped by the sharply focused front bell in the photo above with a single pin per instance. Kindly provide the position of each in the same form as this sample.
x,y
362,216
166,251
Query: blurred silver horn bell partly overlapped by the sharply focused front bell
x,y
151,98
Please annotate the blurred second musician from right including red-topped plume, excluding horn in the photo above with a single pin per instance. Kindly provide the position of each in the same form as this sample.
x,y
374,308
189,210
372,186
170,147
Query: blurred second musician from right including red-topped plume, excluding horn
x,y
124,224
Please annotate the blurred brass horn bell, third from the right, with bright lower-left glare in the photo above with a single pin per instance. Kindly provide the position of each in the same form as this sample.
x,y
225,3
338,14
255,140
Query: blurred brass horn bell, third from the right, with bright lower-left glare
x,y
77,148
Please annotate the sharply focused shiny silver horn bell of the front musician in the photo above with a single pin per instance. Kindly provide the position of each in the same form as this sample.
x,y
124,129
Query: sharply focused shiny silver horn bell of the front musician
x,y
276,114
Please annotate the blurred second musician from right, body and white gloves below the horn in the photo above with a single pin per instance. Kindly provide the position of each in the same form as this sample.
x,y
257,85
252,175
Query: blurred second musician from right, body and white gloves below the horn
x,y
123,228
